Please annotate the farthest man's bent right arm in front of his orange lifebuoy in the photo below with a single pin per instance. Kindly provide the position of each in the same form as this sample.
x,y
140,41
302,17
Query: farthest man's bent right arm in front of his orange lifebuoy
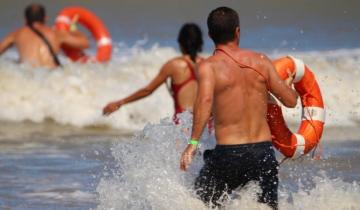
x,y
75,39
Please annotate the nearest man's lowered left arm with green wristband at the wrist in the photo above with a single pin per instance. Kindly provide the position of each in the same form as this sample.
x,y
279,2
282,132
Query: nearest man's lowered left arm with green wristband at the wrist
x,y
202,111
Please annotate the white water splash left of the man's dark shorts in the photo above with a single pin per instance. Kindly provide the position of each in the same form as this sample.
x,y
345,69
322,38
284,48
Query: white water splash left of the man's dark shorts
x,y
149,175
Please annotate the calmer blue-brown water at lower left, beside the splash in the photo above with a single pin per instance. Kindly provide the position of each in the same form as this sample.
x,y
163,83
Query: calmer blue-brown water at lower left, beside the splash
x,y
62,172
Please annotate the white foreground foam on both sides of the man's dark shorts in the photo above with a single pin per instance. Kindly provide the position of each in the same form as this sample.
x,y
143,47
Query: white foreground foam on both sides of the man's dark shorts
x,y
148,177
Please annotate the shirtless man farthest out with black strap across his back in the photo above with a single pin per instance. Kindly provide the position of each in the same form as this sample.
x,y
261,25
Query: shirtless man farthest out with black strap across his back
x,y
31,48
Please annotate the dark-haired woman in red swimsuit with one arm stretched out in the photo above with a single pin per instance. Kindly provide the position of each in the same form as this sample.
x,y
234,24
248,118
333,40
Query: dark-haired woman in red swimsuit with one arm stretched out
x,y
181,70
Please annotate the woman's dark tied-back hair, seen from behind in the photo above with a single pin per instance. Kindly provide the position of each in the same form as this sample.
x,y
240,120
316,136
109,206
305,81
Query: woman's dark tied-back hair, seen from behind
x,y
190,39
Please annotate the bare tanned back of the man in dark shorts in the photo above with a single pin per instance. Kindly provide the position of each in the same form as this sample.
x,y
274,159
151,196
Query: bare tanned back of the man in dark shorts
x,y
242,78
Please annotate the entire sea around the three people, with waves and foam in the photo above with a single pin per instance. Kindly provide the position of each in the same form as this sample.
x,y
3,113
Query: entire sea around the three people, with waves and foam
x,y
57,151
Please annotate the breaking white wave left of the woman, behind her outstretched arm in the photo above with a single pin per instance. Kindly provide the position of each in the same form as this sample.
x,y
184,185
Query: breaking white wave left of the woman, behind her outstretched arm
x,y
76,94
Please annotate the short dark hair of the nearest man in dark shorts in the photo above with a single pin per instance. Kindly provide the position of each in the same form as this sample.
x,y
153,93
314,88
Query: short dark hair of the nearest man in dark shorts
x,y
222,23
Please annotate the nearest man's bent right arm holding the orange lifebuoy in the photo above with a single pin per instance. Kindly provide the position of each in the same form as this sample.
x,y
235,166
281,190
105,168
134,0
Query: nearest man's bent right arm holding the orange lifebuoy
x,y
281,89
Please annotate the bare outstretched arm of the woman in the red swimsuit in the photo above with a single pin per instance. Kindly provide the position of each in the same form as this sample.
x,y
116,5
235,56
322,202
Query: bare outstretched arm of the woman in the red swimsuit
x,y
143,92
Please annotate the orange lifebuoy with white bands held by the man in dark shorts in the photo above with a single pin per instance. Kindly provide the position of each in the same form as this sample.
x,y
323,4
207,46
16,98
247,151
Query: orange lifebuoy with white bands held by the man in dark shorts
x,y
313,111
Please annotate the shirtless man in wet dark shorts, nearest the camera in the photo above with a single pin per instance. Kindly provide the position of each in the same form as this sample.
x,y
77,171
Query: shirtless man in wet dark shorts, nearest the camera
x,y
234,85
